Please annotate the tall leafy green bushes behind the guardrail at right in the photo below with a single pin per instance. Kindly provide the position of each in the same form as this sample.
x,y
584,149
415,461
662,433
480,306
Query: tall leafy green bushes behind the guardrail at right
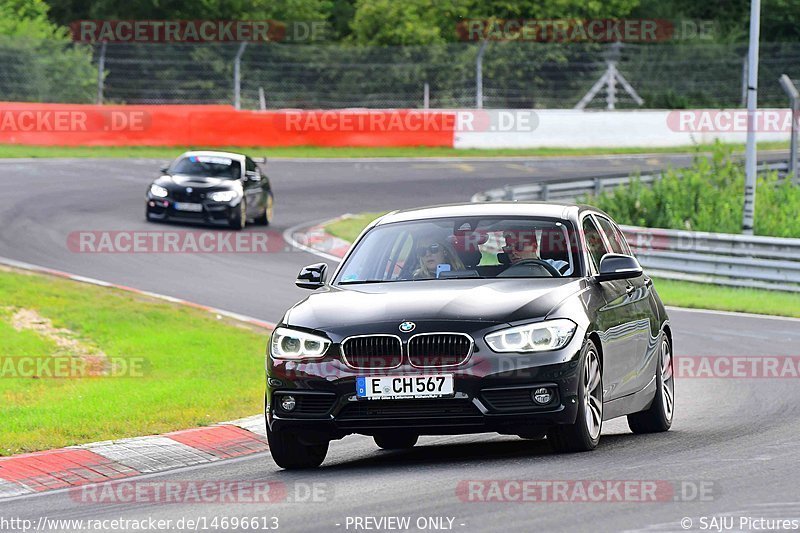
x,y
708,196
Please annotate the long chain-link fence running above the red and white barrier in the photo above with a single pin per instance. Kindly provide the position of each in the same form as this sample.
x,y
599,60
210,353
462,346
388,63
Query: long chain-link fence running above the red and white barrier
x,y
514,75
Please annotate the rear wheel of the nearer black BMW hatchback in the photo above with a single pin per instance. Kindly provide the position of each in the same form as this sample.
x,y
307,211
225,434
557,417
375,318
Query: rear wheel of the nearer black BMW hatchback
x,y
658,417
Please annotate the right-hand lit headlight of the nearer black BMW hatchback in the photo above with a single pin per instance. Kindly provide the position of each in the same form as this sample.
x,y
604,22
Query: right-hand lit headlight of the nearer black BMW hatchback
x,y
539,337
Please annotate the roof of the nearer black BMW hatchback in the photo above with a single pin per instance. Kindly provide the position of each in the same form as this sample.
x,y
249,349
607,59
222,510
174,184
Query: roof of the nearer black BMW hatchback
x,y
564,211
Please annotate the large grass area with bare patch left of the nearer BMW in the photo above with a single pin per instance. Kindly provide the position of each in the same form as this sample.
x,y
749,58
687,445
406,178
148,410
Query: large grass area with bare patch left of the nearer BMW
x,y
197,369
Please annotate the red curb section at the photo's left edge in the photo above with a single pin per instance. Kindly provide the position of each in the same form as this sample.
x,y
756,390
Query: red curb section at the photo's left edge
x,y
55,469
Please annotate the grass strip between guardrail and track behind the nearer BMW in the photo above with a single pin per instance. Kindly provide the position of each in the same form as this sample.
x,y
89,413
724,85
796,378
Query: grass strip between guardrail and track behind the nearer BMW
x,y
677,293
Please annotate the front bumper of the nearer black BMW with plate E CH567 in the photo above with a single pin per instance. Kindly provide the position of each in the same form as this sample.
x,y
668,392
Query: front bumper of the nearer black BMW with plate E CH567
x,y
492,393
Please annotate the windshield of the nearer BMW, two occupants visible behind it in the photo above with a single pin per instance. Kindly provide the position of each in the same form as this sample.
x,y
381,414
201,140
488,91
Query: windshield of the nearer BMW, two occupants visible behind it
x,y
457,248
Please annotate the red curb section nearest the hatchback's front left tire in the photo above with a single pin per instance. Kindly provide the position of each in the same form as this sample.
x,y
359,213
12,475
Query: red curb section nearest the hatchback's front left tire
x,y
222,441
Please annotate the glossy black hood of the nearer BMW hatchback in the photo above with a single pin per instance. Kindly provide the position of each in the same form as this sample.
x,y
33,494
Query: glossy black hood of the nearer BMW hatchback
x,y
477,301
